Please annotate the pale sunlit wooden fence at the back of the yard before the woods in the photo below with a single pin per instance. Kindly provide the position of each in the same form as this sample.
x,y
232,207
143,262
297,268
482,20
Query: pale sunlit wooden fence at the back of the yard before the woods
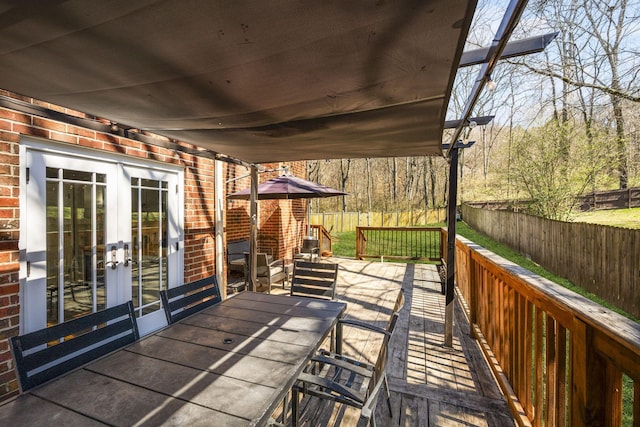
x,y
338,222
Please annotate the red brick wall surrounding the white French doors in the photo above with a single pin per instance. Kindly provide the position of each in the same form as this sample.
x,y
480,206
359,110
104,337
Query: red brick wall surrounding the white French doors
x,y
199,244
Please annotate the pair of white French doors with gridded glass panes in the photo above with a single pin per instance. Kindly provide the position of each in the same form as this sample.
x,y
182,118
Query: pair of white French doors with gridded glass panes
x,y
99,232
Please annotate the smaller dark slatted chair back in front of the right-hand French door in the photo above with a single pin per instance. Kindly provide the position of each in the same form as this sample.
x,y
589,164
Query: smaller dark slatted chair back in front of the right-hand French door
x,y
184,300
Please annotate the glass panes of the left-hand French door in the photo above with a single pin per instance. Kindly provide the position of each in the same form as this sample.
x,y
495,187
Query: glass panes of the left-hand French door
x,y
75,231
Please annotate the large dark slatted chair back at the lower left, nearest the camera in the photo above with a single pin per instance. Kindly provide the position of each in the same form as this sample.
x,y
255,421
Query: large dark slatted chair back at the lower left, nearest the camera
x,y
45,354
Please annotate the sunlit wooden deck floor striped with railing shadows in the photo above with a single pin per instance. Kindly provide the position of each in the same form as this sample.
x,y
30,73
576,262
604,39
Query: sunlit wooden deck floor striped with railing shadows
x,y
430,385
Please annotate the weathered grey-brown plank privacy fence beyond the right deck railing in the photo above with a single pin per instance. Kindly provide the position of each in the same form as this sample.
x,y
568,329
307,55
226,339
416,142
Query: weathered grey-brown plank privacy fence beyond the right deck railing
x,y
601,259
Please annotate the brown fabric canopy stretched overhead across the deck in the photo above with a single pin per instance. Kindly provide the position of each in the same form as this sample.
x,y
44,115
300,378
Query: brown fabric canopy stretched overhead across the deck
x,y
257,81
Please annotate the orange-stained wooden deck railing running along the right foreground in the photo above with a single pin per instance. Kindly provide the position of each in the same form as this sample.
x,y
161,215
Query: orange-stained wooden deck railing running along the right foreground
x,y
559,357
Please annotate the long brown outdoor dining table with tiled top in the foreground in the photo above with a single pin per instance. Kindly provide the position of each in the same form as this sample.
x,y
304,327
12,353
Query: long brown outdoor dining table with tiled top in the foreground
x,y
228,365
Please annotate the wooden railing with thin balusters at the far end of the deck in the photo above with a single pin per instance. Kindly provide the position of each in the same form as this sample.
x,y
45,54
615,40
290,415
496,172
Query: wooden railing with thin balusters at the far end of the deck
x,y
399,243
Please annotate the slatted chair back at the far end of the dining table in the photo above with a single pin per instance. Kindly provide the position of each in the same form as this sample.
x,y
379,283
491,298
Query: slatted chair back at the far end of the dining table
x,y
314,279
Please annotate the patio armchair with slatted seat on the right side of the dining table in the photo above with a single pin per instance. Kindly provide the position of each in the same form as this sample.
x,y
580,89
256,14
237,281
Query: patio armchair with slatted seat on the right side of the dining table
x,y
342,379
